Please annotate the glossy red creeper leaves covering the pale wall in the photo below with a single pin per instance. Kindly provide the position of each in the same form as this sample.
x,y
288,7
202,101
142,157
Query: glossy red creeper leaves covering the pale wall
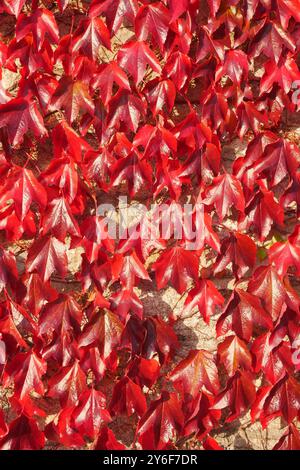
x,y
91,112
